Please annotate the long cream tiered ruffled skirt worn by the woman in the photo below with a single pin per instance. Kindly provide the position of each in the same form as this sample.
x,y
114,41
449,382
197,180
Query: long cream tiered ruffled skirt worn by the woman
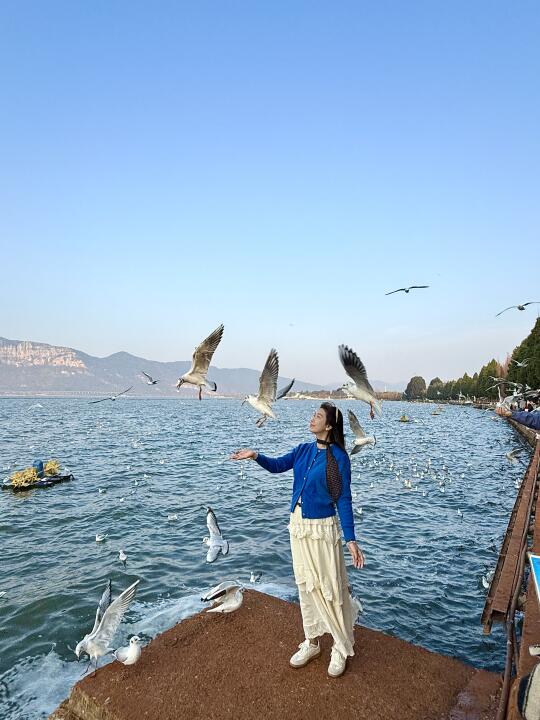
x,y
321,575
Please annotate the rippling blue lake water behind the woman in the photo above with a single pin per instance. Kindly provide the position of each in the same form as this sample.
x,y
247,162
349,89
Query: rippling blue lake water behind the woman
x,y
424,560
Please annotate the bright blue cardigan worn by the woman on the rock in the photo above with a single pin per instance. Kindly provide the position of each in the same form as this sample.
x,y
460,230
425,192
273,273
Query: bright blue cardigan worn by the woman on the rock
x,y
309,467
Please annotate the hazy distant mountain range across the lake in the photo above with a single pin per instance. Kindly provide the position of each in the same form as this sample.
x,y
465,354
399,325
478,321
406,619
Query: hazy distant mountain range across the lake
x,y
29,368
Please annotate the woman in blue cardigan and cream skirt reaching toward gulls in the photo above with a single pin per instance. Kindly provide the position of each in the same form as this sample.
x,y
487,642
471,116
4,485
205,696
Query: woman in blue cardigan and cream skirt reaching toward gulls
x,y
322,483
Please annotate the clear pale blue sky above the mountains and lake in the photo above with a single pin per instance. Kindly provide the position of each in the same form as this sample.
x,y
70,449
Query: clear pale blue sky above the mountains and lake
x,y
278,167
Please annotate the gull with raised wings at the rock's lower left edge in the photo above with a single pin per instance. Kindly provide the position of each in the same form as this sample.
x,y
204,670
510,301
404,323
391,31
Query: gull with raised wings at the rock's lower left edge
x,y
108,618
